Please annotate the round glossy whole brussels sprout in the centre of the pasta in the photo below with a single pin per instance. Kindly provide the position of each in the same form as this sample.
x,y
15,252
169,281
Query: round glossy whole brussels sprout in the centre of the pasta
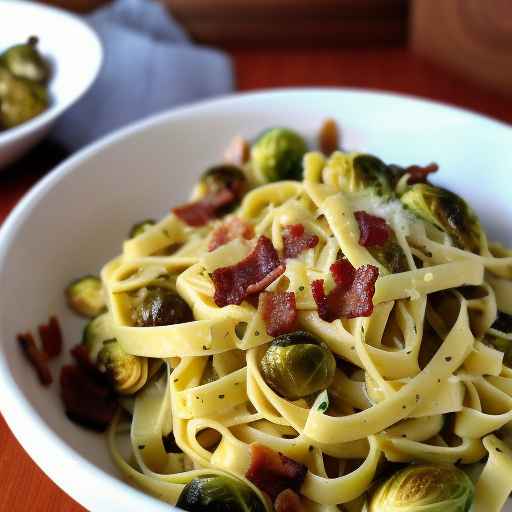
x,y
297,365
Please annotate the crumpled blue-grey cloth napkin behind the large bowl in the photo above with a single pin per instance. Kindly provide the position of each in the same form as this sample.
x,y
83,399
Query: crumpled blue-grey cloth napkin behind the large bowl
x,y
149,66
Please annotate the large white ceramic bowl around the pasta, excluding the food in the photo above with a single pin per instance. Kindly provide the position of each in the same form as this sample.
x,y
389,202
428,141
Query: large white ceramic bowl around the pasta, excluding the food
x,y
76,218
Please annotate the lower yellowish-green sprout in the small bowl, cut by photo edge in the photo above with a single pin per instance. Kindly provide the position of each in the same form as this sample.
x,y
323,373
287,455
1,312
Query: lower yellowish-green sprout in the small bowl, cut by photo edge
x,y
20,100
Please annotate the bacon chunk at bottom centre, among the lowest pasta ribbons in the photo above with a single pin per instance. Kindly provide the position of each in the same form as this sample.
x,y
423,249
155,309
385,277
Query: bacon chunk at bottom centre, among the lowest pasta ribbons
x,y
273,472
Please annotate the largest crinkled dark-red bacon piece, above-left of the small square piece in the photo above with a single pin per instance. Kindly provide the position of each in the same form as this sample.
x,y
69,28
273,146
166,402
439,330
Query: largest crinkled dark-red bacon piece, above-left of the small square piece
x,y
251,275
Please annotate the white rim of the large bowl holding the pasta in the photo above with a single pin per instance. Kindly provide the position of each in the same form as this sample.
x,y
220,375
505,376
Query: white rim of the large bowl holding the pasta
x,y
18,413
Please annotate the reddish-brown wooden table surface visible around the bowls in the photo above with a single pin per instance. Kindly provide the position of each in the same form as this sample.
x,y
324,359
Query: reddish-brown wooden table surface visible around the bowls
x,y
23,483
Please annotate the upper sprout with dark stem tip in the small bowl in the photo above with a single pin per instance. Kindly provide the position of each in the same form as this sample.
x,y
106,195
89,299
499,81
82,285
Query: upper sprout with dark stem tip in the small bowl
x,y
25,61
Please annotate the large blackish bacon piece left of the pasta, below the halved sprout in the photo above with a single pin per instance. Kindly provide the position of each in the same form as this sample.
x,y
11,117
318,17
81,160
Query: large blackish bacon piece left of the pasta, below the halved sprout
x,y
88,398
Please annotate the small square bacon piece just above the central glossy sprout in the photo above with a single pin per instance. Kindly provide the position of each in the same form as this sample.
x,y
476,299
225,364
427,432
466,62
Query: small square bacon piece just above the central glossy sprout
x,y
279,312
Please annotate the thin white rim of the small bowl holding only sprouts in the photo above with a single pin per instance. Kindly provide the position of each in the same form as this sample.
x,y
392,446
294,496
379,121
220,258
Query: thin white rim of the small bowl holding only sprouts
x,y
55,110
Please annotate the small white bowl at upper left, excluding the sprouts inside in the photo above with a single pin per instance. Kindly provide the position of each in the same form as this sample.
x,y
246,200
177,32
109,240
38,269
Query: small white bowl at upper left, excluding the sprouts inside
x,y
75,54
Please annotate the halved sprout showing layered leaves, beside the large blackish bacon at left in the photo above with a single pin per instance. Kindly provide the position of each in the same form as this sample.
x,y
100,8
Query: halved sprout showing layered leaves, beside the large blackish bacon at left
x,y
123,369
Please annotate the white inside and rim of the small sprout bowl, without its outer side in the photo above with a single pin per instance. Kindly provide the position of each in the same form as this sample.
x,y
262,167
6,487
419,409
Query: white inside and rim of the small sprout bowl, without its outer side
x,y
71,47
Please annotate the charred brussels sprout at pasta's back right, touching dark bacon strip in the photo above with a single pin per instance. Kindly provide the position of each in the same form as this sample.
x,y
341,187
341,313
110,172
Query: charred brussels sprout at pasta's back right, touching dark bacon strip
x,y
370,173
